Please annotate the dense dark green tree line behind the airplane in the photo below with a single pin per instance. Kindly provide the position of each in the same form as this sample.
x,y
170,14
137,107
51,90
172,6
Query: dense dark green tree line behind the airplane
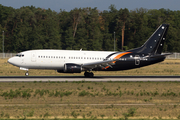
x,y
88,28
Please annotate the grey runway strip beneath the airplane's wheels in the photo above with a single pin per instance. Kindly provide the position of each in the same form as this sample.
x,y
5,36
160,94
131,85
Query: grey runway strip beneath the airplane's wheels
x,y
82,78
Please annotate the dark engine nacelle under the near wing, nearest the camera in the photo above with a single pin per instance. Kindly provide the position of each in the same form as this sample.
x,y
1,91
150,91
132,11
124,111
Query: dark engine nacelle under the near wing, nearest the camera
x,y
72,68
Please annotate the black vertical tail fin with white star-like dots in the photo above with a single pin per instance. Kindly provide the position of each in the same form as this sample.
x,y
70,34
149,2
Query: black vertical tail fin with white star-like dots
x,y
155,43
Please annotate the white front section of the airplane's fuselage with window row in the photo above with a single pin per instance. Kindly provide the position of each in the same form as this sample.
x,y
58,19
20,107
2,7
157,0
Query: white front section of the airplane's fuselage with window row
x,y
55,59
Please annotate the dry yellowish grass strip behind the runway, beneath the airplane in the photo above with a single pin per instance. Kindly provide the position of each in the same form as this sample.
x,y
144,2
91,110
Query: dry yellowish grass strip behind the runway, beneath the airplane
x,y
168,67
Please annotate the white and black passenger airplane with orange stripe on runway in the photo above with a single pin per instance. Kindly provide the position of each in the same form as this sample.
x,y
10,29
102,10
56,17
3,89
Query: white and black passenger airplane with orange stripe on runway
x,y
76,61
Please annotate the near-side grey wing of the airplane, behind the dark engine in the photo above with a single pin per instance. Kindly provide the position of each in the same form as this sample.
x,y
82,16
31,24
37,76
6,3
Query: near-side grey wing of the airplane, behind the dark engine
x,y
102,64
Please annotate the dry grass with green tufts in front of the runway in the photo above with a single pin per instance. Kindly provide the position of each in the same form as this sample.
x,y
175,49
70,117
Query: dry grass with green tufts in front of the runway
x,y
45,100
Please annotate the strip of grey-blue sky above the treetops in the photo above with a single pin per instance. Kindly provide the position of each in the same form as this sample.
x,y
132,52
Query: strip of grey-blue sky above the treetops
x,y
101,5
